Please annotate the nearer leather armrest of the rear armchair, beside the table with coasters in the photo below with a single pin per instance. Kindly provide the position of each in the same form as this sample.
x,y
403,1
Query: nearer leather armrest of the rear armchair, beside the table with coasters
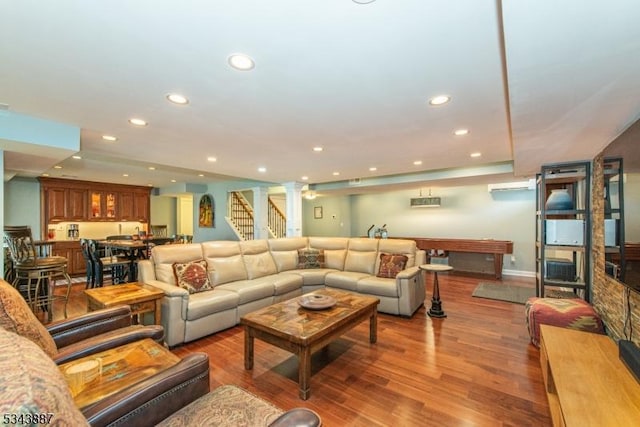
x,y
107,341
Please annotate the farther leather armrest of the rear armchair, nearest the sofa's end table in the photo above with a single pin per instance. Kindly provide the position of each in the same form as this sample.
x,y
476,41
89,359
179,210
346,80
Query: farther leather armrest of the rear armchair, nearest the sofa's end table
x,y
69,331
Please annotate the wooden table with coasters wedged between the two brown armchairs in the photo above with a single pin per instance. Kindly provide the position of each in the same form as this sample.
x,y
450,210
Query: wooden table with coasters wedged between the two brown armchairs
x,y
95,377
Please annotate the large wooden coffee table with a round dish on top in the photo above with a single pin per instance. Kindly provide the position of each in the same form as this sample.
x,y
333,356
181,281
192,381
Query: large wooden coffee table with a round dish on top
x,y
303,332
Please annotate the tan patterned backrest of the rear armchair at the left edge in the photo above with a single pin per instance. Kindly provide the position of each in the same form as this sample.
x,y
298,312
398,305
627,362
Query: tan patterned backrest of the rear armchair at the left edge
x,y
16,317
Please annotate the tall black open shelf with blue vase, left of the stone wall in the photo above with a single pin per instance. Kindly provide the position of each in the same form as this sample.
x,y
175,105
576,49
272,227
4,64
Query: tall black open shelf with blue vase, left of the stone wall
x,y
563,230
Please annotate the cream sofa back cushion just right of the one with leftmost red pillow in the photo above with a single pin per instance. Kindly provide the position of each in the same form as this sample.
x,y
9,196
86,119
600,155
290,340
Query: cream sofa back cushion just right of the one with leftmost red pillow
x,y
224,261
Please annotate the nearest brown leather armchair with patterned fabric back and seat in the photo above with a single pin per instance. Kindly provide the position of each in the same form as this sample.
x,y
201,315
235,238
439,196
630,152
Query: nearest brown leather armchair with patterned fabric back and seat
x,y
34,390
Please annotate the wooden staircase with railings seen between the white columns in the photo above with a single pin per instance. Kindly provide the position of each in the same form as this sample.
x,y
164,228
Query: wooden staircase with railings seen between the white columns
x,y
241,217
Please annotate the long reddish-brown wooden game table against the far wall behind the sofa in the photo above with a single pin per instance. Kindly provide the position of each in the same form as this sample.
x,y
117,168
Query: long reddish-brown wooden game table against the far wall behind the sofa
x,y
484,246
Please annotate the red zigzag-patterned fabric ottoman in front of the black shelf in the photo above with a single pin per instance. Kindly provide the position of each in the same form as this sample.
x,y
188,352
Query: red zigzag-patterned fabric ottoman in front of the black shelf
x,y
570,313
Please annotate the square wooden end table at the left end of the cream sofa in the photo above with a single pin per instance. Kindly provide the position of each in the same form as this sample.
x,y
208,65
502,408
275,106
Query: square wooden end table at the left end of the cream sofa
x,y
141,298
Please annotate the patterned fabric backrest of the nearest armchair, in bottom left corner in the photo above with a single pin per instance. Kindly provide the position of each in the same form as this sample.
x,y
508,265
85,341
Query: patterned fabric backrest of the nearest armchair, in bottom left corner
x,y
33,387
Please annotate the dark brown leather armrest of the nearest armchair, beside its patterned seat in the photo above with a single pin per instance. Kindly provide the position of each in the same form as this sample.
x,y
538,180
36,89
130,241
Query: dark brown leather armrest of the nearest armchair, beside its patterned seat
x,y
154,399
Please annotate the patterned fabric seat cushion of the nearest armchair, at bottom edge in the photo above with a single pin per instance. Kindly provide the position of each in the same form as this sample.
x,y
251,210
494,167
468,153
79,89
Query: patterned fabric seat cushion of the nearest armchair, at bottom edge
x,y
225,406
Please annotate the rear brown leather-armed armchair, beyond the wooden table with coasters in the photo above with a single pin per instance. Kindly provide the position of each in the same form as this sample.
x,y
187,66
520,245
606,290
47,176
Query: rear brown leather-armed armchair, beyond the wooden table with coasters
x,y
74,338
